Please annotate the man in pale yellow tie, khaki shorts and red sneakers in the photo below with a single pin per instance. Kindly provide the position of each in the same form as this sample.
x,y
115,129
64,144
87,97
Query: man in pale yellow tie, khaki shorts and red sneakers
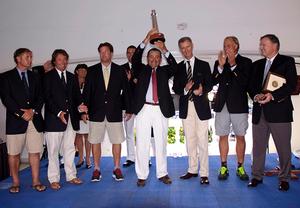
x,y
105,84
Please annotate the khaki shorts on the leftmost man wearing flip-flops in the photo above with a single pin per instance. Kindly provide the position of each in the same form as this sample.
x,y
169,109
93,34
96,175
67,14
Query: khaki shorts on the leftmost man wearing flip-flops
x,y
31,138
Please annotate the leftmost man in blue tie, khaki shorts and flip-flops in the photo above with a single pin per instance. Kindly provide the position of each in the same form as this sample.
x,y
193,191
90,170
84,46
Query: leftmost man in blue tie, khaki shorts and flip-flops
x,y
23,99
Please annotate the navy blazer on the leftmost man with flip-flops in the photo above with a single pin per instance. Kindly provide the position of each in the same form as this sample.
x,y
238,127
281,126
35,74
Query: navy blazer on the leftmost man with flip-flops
x,y
14,99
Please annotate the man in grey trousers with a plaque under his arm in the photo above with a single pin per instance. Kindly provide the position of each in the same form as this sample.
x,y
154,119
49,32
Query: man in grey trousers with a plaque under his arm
x,y
272,110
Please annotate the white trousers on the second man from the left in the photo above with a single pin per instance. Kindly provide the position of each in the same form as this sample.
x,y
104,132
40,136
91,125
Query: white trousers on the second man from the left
x,y
63,141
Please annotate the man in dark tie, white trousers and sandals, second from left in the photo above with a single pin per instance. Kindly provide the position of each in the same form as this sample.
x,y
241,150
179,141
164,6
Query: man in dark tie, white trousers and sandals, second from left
x,y
62,106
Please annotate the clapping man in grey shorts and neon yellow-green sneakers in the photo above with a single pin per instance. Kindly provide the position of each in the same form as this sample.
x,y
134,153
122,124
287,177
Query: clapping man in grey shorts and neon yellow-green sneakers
x,y
232,73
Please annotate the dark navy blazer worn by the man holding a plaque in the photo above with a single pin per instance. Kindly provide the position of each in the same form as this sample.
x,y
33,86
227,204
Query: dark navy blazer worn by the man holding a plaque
x,y
279,110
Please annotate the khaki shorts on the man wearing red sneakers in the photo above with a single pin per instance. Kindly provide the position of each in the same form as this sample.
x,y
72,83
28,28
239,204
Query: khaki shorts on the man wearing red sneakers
x,y
114,130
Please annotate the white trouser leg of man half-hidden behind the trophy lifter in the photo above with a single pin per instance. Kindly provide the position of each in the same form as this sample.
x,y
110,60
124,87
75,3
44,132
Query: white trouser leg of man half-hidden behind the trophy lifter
x,y
130,143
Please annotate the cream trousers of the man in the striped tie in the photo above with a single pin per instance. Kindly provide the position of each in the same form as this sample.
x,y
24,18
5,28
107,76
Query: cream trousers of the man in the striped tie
x,y
196,134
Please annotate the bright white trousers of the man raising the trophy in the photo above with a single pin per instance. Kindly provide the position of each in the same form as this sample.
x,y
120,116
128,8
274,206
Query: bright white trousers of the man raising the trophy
x,y
151,115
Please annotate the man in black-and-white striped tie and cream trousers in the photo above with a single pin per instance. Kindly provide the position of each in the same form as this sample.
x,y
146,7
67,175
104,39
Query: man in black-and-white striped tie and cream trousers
x,y
192,82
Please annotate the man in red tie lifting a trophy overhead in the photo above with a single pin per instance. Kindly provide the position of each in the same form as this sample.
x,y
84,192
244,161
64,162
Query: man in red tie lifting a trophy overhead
x,y
153,104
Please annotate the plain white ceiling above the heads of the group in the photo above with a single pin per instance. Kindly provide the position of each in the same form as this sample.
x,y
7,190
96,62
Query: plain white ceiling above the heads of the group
x,y
79,26
